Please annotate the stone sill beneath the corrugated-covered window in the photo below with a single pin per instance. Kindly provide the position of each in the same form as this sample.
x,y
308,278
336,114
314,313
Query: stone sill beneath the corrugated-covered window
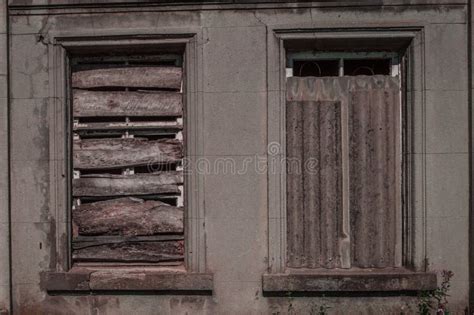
x,y
350,281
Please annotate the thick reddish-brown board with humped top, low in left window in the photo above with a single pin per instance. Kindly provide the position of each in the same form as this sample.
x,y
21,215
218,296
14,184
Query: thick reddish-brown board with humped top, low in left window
x,y
127,217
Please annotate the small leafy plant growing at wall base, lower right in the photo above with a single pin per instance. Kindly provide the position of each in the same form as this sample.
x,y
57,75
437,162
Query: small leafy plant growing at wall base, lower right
x,y
436,301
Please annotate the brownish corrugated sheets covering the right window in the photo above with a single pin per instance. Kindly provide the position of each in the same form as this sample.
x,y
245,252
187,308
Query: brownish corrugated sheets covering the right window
x,y
343,172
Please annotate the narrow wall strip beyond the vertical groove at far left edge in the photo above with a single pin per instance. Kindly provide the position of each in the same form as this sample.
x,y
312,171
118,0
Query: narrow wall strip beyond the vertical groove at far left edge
x,y
4,217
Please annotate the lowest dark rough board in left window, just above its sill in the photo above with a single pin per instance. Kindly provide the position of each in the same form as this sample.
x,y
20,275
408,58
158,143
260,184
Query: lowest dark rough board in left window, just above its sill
x,y
128,252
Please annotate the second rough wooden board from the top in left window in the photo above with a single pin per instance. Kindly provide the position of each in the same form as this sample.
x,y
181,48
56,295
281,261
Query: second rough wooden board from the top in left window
x,y
115,103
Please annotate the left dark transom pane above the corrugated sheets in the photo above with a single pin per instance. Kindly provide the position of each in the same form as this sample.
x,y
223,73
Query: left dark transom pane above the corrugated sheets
x,y
316,68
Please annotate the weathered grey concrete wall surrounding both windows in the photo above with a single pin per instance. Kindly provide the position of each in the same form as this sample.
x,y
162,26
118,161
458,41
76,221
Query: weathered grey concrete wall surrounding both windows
x,y
235,100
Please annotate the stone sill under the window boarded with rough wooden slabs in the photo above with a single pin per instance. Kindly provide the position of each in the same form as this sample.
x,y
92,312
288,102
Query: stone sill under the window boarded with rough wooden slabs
x,y
84,280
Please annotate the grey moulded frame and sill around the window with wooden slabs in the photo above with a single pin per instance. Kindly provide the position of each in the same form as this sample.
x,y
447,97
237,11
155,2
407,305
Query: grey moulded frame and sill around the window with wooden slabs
x,y
194,277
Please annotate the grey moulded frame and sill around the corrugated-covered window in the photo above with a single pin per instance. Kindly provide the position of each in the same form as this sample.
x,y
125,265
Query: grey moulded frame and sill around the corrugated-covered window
x,y
409,40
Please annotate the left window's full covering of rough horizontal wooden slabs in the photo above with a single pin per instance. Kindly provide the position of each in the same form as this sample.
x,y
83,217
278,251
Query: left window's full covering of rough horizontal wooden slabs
x,y
127,157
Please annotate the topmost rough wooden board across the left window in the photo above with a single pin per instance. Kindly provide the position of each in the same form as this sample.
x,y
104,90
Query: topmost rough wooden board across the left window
x,y
137,77
